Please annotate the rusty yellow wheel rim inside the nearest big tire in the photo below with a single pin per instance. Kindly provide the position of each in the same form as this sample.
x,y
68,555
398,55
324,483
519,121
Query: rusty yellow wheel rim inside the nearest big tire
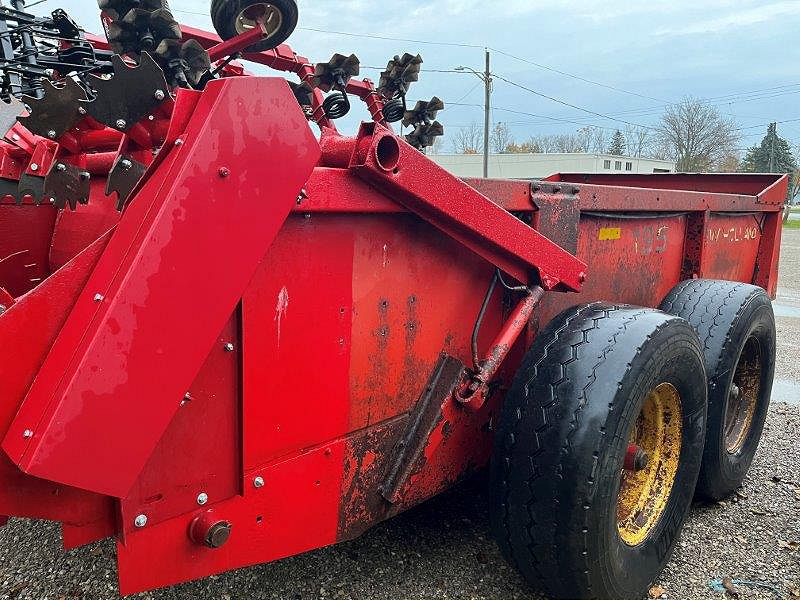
x,y
647,482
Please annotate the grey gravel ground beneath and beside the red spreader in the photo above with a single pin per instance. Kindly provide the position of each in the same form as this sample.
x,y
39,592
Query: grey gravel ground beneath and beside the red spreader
x,y
443,549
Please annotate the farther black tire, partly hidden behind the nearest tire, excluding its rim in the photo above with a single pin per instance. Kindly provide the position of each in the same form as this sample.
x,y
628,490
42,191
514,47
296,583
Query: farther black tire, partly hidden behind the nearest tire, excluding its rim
x,y
727,314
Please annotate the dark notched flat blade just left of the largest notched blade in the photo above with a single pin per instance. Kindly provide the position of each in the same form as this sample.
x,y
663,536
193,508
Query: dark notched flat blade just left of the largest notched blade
x,y
57,111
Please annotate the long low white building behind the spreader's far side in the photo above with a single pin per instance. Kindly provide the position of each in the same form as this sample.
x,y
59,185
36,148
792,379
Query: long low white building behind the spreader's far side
x,y
534,166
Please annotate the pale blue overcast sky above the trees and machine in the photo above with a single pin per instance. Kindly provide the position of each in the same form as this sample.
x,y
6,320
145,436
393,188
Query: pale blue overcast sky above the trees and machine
x,y
657,51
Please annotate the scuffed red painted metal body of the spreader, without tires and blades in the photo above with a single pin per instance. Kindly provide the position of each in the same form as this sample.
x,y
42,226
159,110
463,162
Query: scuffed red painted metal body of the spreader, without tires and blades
x,y
228,350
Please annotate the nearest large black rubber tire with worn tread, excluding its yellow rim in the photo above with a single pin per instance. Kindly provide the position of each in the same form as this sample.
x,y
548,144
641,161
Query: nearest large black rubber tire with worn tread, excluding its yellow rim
x,y
561,442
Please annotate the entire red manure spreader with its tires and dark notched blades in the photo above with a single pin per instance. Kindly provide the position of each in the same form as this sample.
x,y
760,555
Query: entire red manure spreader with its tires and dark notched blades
x,y
231,337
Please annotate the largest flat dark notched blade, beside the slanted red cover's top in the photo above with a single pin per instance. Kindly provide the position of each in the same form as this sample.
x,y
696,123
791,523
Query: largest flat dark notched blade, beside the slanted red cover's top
x,y
130,95
